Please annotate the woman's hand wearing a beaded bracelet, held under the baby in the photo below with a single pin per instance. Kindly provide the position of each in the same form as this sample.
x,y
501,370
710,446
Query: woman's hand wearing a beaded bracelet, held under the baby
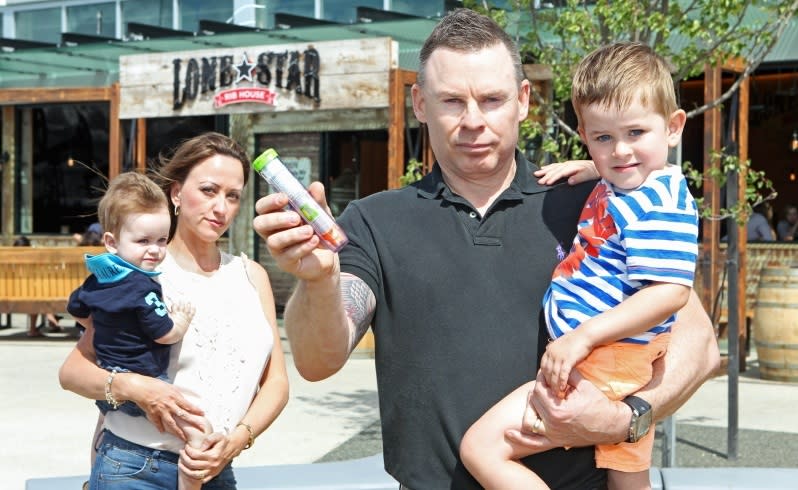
x,y
162,402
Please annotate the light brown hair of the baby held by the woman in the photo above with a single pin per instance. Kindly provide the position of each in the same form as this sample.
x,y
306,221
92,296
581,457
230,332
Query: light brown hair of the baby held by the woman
x,y
129,193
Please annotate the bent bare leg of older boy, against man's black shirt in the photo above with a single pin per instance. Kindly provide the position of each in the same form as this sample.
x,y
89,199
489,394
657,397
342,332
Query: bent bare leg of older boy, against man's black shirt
x,y
489,456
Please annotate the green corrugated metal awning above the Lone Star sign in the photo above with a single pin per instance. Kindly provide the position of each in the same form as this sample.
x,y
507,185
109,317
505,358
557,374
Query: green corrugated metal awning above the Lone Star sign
x,y
97,64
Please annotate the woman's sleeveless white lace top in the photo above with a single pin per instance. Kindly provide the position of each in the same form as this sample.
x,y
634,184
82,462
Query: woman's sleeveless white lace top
x,y
219,362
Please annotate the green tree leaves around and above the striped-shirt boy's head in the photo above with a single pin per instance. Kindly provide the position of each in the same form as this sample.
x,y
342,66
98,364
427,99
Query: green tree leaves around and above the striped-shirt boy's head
x,y
688,33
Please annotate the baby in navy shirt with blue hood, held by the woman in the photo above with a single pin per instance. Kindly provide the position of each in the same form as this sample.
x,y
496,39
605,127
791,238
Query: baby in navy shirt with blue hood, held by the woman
x,y
123,301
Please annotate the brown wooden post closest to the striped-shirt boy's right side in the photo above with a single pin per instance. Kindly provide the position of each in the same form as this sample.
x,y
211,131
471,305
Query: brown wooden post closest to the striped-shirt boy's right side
x,y
711,228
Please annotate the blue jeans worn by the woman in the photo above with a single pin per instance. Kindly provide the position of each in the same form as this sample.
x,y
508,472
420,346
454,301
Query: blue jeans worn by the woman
x,y
122,465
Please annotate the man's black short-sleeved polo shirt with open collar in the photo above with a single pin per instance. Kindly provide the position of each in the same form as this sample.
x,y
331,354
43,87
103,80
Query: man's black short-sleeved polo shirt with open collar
x,y
458,323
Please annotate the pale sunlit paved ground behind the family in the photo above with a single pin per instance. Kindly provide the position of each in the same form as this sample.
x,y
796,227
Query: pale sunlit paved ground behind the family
x,y
46,431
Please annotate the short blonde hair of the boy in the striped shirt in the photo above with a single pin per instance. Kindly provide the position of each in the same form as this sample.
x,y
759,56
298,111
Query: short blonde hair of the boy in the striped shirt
x,y
614,76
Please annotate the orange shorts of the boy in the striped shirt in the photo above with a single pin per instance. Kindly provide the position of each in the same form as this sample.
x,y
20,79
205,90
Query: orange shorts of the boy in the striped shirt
x,y
619,370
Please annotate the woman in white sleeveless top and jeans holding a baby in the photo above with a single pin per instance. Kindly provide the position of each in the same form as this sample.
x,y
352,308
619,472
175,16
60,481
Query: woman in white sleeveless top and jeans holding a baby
x,y
229,366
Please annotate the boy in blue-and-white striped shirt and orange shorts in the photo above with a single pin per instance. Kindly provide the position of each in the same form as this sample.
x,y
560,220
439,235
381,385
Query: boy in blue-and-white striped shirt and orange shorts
x,y
613,298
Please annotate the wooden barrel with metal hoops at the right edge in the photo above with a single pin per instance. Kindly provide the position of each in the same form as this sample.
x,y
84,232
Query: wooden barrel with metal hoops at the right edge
x,y
776,323
